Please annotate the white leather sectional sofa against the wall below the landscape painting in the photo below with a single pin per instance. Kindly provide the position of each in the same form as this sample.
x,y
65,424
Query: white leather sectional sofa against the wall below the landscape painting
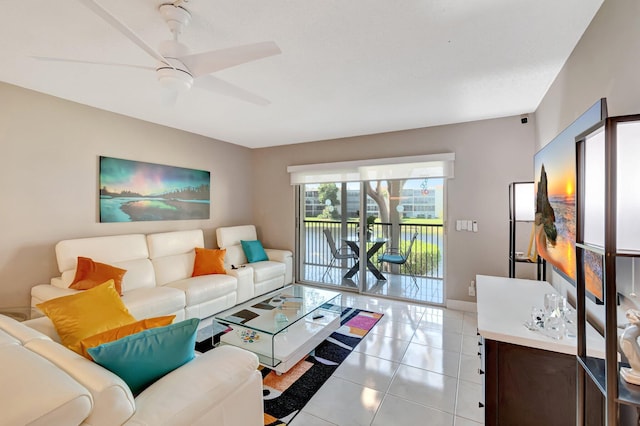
x,y
159,266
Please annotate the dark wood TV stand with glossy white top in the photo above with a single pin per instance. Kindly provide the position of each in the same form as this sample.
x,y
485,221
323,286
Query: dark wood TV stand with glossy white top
x,y
529,378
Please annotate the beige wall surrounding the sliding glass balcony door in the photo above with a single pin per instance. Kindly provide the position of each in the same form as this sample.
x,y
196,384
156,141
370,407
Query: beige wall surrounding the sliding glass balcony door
x,y
489,155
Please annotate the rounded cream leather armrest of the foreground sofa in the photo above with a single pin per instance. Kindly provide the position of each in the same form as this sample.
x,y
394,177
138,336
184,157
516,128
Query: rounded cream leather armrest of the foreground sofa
x,y
221,382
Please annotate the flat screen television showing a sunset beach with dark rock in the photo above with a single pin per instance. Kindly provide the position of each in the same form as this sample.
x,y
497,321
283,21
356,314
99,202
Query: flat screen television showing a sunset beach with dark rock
x,y
554,187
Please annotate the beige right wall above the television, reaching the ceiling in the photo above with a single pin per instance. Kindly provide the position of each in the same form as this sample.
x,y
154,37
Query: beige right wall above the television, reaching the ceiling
x,y
604,64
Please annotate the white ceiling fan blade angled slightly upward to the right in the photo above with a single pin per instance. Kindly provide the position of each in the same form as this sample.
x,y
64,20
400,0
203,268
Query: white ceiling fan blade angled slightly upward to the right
x,y
215,60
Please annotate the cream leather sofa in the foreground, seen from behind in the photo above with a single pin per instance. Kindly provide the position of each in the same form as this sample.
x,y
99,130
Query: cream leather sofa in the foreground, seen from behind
x,y
44,383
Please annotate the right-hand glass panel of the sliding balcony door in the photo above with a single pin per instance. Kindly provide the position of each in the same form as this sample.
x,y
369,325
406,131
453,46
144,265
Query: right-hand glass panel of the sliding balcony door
x,y
410,220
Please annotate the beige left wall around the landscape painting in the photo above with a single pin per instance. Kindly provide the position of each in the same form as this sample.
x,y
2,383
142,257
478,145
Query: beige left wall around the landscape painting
x,y
49,177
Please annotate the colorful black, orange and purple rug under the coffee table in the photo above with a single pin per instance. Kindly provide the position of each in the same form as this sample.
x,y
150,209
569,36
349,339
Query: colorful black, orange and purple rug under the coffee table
x,y
285,395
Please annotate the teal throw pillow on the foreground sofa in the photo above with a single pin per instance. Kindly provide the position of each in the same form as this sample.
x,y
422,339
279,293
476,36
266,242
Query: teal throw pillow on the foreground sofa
x,y
142,358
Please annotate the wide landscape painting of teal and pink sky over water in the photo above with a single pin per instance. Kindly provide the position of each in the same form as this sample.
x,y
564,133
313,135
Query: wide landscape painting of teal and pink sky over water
x,y
133,191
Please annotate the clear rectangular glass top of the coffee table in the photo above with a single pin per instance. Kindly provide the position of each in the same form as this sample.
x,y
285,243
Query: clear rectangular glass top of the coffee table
x,y
274,312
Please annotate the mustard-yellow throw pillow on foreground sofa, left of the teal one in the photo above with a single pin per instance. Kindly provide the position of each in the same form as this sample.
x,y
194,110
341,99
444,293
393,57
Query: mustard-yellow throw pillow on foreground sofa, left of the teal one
x,y
86,313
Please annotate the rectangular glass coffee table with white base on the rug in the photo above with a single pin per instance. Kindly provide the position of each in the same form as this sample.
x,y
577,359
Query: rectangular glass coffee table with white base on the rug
x,y
282,327
